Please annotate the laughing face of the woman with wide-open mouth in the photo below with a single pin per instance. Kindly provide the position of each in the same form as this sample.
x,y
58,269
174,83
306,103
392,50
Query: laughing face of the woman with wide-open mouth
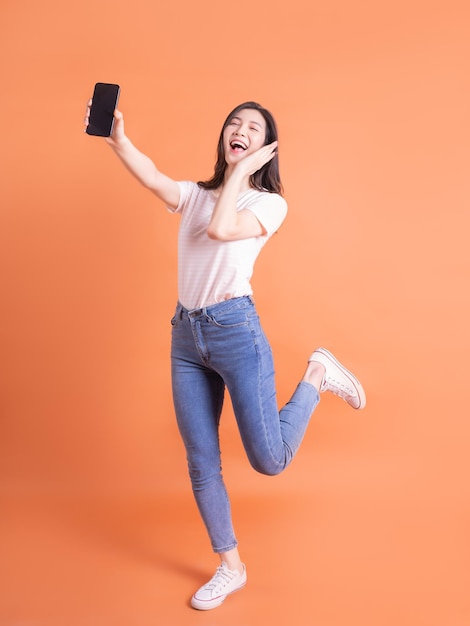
x,y
244,134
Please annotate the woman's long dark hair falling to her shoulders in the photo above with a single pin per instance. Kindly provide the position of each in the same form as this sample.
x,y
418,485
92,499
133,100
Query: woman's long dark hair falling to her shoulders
x,y
265,179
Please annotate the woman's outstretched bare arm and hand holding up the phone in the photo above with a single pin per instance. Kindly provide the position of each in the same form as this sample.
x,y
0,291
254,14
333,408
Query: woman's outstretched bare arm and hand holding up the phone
x,y
140,165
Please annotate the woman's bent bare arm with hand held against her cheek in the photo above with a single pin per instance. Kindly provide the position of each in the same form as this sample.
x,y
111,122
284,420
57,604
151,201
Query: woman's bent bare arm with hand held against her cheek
x,y
228,224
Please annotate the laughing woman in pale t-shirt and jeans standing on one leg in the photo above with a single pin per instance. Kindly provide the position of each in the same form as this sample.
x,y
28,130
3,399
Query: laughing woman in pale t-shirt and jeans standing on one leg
x,y
217,340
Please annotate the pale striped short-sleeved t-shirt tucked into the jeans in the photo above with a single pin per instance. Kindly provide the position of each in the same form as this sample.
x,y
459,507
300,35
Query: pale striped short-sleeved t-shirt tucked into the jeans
x,y
211,271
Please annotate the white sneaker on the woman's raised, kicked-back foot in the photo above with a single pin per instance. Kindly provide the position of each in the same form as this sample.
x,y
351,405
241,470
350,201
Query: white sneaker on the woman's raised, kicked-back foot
x,y
339,380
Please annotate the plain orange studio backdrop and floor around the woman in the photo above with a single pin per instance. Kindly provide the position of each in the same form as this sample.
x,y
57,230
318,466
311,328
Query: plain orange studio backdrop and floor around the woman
x,y
370,525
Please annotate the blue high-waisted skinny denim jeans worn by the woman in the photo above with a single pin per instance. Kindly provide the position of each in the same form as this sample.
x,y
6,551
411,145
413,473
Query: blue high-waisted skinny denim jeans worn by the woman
x,y
221,346
